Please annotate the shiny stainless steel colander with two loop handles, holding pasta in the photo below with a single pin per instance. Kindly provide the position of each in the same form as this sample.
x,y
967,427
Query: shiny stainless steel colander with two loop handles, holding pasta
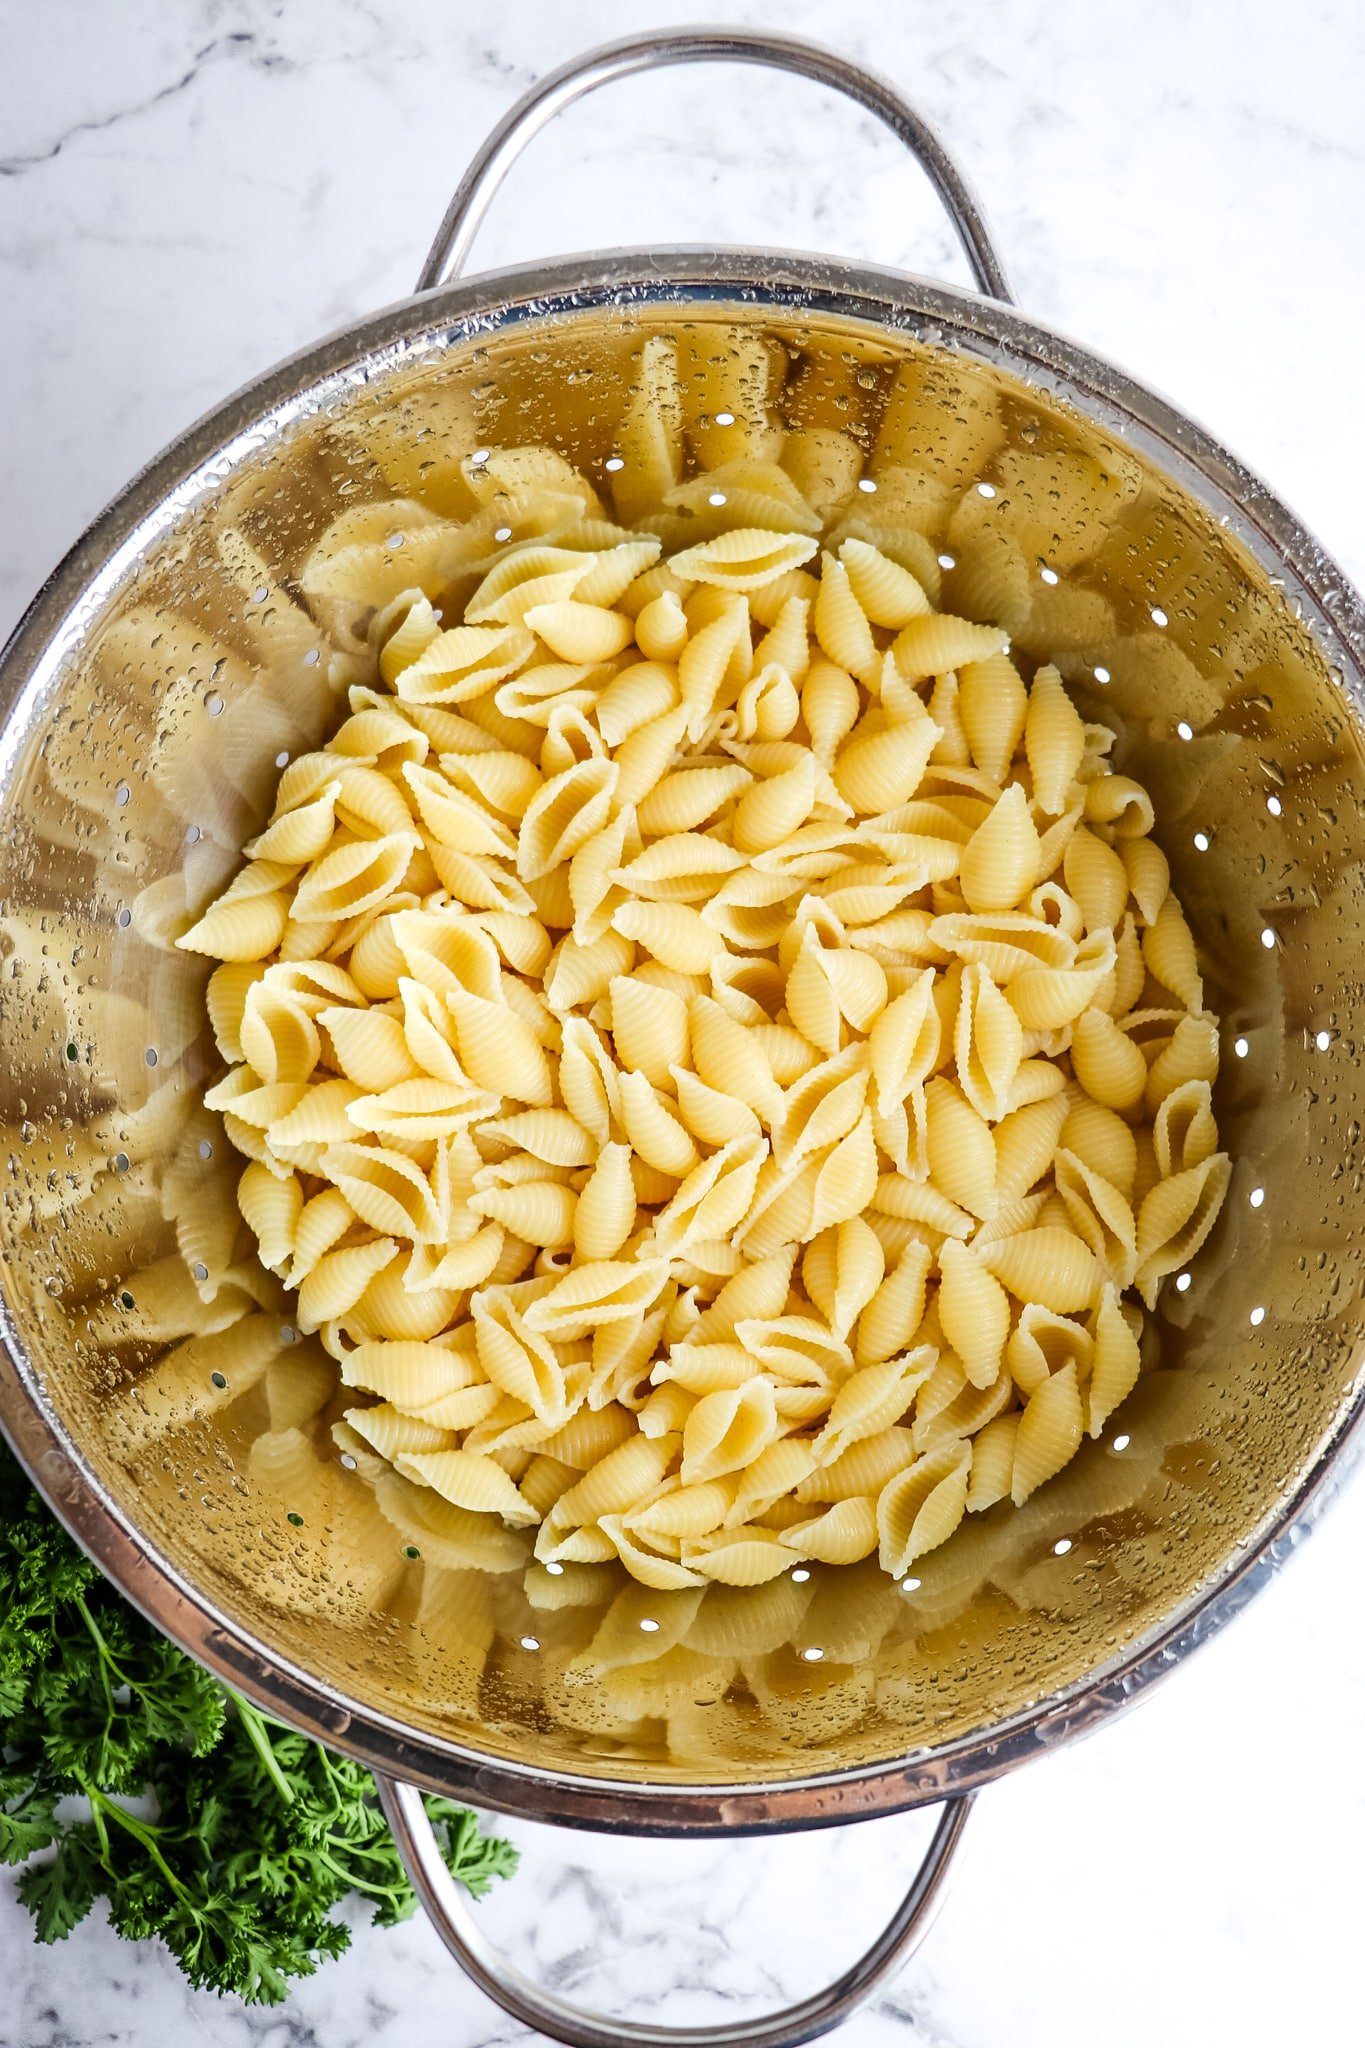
x,y
152,1379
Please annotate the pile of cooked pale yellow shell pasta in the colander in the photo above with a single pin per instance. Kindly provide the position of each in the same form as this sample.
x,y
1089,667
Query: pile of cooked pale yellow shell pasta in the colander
x,y
717,1052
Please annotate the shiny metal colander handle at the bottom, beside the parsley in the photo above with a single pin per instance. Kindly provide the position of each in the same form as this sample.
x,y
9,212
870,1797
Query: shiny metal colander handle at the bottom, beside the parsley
x,y
549,2014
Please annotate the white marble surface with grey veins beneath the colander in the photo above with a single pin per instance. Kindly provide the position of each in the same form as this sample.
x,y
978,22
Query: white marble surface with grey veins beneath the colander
x,y
185,196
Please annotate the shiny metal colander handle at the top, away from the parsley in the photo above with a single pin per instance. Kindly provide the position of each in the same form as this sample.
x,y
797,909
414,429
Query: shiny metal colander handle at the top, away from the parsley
x,y
709,46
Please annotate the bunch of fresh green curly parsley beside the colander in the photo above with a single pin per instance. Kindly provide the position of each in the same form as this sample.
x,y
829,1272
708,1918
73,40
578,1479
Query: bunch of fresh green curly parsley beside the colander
x,y
130,1775
